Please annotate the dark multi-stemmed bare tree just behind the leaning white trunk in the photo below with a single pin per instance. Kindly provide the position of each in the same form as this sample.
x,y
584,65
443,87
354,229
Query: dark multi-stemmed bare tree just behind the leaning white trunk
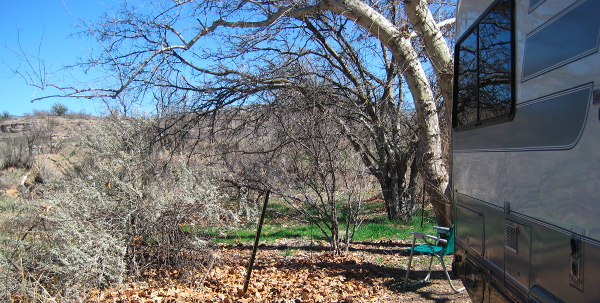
x,y
369,109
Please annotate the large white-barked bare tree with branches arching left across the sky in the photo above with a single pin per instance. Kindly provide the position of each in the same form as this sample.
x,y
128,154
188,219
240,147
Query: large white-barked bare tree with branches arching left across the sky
x,y
171,46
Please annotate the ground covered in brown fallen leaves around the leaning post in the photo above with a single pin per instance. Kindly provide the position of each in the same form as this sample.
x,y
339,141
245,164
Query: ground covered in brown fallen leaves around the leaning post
x,y
369,272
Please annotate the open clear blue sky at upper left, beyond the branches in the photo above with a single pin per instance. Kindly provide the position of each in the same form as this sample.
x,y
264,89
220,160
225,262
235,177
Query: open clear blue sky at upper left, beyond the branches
x,y
43,27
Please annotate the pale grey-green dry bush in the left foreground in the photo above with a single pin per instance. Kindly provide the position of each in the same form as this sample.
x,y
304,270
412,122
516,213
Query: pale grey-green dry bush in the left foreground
x,y
115,213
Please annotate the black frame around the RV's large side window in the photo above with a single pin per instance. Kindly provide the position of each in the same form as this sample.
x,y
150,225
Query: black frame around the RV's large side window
x,y
467,34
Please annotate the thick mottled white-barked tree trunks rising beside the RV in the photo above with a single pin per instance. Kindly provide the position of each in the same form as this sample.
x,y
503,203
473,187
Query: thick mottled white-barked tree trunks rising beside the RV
x,y
434,162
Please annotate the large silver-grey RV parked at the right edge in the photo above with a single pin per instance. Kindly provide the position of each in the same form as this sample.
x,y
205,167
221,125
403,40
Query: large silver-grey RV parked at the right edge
x,y
526,150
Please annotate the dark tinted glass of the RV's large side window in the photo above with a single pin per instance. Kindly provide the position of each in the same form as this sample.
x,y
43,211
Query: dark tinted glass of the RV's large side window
x,y
483,71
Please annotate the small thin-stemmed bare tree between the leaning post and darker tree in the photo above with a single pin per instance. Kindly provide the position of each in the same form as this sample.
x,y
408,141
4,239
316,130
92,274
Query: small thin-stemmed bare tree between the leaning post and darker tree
x,y
322,178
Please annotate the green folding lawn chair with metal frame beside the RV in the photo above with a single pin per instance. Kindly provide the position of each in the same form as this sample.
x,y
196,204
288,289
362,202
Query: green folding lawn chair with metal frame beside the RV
x,y
438,251
